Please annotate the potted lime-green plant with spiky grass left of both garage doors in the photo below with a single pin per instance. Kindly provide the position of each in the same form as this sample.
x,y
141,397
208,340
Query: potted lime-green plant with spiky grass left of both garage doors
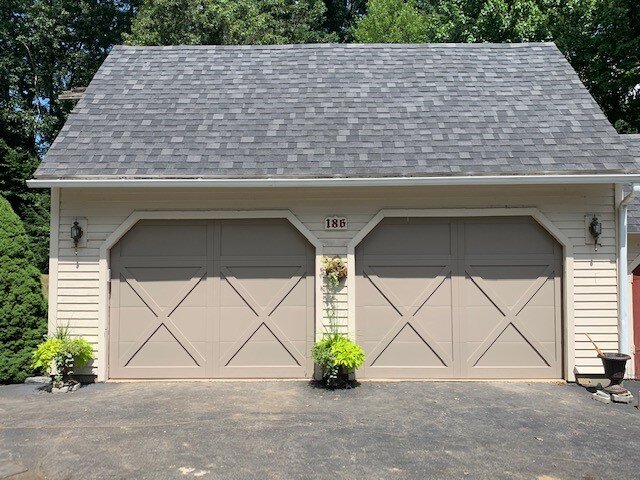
x,y
61,354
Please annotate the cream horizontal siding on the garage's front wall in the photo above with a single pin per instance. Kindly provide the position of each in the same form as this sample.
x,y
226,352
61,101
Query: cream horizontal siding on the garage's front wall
x,y
594,293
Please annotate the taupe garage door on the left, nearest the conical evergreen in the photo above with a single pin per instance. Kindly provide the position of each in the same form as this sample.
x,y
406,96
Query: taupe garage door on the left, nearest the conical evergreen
x,y
209,299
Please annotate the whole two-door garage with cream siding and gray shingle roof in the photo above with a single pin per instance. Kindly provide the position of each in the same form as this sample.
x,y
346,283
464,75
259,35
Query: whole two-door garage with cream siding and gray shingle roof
x,y
459,183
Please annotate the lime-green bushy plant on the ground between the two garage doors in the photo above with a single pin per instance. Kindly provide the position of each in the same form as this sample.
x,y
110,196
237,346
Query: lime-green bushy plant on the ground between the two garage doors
x,y
336,355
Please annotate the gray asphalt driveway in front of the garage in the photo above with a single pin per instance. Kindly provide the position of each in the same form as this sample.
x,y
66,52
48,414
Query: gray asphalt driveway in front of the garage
x,y
290,430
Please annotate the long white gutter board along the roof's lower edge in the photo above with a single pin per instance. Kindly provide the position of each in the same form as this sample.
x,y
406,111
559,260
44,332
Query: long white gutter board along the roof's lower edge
x,y
334,182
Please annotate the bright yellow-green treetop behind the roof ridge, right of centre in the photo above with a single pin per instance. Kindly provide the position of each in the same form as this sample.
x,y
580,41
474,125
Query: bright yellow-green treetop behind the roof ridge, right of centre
x,y
391,21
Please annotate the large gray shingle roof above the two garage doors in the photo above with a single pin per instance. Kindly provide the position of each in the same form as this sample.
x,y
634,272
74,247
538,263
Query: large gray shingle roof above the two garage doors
x,y
335,111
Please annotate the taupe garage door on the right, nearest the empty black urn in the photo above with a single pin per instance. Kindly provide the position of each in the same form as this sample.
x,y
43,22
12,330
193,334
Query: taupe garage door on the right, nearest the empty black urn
x,y
462,298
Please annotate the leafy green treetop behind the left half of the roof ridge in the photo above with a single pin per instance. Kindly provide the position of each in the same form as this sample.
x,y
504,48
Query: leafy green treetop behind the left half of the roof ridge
x,y
224,22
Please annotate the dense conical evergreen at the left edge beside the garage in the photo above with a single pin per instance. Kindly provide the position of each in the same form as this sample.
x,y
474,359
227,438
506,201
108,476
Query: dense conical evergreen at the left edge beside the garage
x,y
22,305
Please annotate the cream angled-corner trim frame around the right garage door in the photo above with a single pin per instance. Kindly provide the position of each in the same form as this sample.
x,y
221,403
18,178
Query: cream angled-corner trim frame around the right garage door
x,y
545,222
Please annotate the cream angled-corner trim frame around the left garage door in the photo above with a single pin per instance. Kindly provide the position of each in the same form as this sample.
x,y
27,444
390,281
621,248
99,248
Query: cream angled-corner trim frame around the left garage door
x,y
136,216
